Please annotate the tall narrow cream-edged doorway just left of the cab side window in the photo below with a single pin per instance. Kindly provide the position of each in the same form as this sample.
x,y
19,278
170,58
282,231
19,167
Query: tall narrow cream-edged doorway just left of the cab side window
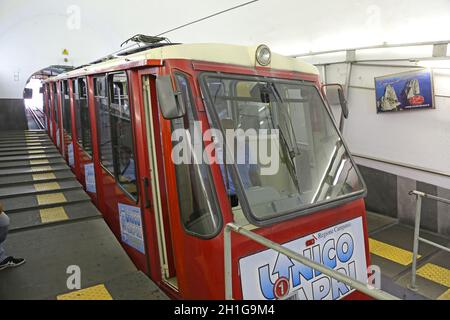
x,y
160,212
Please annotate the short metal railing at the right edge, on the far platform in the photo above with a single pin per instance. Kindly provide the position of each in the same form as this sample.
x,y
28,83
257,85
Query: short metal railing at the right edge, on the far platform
x,y
419,195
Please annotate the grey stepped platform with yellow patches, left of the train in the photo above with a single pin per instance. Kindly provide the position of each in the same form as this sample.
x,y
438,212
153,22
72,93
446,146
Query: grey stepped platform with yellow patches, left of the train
x,y
81,238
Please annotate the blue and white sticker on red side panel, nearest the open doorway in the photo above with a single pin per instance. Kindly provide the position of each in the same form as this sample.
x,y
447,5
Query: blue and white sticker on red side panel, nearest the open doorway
x,y
131,227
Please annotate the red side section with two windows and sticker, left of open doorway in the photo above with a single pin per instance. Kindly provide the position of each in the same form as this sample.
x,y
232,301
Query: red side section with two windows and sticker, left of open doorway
x,y
121,165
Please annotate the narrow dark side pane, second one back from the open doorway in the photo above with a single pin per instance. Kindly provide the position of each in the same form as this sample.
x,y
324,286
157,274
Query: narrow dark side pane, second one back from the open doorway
x,y
103,123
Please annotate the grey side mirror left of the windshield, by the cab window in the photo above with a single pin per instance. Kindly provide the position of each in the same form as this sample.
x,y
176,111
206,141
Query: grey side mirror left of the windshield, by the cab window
x,y
171,103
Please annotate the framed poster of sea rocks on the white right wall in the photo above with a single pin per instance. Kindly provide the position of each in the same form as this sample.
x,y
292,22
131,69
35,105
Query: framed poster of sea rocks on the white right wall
x,y
409,90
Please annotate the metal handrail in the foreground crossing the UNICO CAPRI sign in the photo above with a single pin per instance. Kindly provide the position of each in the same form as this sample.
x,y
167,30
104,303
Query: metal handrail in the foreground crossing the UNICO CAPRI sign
x,y
358,285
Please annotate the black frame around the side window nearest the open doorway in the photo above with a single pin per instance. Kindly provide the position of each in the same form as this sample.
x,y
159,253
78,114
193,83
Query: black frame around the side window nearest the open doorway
x,y
114,174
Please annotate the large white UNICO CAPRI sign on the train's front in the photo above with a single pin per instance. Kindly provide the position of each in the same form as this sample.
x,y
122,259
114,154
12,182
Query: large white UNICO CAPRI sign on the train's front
x,y
268,275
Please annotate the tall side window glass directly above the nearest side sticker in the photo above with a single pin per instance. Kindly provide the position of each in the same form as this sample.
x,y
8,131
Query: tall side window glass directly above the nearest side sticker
x,y
122,133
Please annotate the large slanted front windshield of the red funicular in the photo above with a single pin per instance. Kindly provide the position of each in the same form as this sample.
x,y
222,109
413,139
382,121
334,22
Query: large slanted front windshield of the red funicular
x,y
306,163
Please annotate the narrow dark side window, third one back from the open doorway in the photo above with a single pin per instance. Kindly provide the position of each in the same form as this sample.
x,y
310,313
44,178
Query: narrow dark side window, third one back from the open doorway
x,y
82,117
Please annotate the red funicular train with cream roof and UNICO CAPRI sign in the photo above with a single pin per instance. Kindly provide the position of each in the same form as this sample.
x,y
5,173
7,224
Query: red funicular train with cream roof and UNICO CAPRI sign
x,y
119,121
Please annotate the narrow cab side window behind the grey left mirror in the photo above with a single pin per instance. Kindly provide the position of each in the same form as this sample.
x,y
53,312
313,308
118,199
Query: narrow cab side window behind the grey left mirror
x,y
198,204
